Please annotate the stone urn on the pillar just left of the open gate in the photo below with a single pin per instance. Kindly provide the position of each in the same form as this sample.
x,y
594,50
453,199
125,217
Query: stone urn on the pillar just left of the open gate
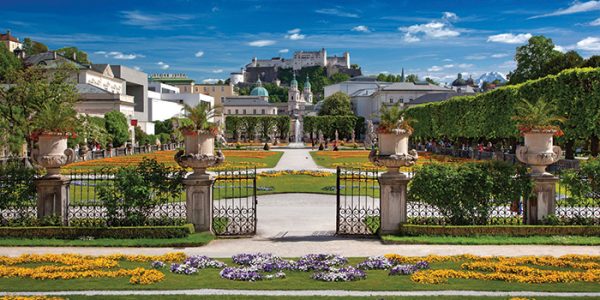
x,y
199,153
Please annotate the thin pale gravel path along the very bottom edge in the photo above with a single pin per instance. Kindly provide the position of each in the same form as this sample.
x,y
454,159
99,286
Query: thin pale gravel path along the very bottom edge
x,y
331,293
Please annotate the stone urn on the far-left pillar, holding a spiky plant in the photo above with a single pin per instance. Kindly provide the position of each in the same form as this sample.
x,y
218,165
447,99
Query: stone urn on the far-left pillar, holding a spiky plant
x,y
52,153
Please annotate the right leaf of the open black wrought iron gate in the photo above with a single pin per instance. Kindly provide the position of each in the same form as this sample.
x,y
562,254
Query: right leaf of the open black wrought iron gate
x,y
358,201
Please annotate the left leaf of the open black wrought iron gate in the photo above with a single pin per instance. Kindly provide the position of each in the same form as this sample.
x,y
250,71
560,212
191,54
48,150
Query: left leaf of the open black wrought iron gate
x,y
234,202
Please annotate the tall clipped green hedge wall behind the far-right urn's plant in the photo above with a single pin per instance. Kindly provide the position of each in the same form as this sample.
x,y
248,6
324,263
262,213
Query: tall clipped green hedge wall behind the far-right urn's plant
x,y
488,115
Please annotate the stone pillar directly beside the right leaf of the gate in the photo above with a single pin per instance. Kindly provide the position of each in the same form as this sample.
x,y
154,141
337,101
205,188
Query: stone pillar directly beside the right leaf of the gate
x,y
393,187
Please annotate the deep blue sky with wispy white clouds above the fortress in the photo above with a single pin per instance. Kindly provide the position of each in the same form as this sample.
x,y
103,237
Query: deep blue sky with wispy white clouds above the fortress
x,y
209,39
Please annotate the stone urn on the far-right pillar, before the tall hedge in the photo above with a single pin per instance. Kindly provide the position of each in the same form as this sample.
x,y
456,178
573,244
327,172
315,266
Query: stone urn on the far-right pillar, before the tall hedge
x,y
539,151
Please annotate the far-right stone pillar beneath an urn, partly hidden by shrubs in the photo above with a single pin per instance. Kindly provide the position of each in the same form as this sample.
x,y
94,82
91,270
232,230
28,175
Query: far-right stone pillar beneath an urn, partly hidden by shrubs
x,y
543,203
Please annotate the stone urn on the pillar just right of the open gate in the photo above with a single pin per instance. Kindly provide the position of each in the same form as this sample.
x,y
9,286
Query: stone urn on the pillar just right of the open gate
x,y
393,151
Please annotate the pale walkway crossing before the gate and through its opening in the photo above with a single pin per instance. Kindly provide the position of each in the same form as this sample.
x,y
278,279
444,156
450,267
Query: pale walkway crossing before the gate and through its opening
x,y
292,225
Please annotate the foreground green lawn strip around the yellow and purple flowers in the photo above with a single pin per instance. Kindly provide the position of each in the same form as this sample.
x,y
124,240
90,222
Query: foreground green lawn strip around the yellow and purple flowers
x,y
377,280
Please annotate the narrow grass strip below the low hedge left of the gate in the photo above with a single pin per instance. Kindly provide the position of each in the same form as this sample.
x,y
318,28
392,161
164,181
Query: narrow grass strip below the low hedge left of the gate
x,y
193,240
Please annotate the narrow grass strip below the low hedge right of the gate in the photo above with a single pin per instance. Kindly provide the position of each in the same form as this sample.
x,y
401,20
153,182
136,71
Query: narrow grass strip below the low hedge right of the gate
x,y
493,240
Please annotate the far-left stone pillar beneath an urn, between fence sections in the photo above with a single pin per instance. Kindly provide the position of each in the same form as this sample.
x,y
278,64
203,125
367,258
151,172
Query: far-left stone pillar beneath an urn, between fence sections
x,y
53,198
